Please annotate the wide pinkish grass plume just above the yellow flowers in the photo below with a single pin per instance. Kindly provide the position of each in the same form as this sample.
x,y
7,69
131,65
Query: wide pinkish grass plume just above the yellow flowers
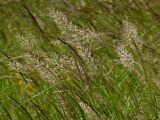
x,y
47,67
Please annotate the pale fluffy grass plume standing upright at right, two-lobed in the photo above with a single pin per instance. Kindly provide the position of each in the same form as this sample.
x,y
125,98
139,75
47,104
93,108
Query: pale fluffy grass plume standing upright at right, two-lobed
x,y
130,38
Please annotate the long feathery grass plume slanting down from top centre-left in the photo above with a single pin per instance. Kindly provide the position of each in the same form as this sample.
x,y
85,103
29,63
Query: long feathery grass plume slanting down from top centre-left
x,y
80,38
